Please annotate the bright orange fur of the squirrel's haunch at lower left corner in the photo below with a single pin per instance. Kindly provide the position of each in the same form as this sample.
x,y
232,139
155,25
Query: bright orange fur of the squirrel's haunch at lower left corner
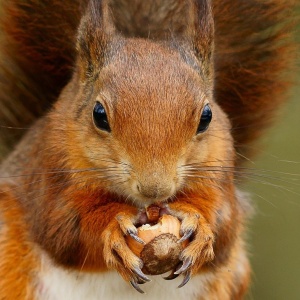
x,y
19,259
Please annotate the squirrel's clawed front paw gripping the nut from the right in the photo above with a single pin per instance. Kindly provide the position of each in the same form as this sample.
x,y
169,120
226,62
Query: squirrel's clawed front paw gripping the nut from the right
x,y
200,249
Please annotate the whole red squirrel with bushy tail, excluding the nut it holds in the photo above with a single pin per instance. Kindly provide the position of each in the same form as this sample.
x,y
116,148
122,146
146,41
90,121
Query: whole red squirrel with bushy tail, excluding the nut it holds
x,y
131,104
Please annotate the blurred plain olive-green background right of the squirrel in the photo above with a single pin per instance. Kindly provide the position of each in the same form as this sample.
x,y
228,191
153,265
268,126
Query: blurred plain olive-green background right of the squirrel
x,y
274,231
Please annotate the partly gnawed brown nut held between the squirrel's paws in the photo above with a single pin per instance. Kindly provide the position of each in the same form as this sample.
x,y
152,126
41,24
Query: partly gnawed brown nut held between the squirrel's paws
x,y
161,252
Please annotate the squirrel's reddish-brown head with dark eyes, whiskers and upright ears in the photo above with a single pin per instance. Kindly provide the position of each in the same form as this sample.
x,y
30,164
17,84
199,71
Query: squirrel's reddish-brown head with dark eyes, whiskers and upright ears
x,y
140,112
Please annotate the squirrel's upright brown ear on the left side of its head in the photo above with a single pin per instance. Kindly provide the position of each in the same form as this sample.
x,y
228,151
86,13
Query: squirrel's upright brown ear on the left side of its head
x,y
95,32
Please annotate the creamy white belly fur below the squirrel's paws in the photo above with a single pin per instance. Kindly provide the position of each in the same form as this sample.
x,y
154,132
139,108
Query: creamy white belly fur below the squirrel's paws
x,y
58,284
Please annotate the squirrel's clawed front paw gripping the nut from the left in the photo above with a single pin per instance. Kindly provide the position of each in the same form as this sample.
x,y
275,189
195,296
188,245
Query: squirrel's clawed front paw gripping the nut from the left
x,y
118,255
